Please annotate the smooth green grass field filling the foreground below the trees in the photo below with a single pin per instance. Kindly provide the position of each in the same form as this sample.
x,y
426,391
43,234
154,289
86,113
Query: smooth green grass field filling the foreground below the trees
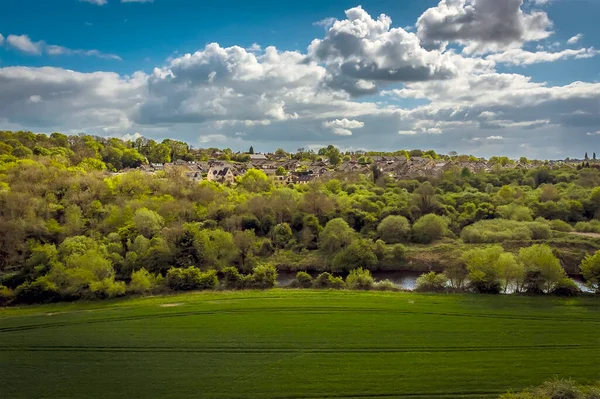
x,y
297,344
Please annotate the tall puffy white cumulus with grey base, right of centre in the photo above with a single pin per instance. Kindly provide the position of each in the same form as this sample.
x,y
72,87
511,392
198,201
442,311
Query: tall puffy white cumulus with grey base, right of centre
x,y
361,49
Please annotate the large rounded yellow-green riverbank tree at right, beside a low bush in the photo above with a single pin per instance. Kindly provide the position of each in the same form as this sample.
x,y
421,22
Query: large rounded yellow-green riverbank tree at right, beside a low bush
x,y
543,269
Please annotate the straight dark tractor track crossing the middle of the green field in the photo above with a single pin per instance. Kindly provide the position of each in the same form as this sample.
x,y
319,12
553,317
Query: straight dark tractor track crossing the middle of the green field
x,y
274,350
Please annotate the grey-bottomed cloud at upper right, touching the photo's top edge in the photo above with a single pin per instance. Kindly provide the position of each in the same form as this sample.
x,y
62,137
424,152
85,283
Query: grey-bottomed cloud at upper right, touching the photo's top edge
x,y
482,25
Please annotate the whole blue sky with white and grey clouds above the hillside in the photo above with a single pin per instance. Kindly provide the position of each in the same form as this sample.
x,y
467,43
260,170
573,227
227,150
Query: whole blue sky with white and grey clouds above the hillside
x,y
482,77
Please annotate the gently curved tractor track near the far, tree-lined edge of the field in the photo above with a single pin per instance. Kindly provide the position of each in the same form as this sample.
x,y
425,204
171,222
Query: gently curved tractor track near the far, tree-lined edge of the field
x,y
321,310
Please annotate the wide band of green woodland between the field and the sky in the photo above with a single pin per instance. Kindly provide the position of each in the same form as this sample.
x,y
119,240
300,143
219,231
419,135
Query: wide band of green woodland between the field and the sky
x,y
78,220
